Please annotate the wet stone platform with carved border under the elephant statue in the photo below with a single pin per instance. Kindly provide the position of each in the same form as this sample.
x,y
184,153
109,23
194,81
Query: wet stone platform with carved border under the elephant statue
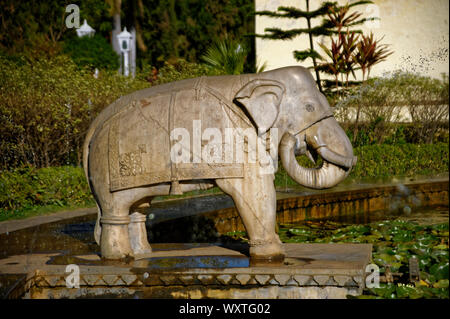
x,y
195,271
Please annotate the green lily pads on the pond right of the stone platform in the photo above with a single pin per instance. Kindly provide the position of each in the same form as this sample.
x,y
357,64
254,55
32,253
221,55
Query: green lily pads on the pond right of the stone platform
x,y
394,243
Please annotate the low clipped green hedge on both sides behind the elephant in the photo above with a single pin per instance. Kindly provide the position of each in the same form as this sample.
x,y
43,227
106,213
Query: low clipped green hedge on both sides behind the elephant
x,y
66,186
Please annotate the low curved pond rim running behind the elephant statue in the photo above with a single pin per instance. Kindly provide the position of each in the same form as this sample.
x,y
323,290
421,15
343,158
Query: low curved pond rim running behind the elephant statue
x,y
13,225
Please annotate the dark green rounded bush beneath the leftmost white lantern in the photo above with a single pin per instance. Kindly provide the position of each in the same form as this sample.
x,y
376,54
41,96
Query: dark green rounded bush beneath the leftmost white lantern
x,y
93,52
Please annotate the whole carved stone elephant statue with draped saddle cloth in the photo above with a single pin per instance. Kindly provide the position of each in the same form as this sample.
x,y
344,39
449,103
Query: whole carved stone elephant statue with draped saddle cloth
x,y
194,134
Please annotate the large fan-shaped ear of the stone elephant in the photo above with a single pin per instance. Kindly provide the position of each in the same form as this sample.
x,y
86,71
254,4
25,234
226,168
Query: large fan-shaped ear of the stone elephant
x,y
262,99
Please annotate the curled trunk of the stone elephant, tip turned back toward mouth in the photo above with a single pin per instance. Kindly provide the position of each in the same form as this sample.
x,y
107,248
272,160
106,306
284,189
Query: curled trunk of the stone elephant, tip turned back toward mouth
x,y
335,167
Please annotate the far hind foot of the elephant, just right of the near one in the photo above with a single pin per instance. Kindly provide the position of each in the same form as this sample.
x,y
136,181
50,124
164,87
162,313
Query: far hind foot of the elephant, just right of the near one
x,y
138,236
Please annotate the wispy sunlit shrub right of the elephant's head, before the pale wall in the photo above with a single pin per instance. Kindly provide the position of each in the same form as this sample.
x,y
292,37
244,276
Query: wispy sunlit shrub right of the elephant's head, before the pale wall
x,y
378,103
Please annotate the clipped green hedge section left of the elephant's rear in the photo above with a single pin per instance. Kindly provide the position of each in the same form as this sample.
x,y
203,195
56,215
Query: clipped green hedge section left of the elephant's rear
x,y
27,187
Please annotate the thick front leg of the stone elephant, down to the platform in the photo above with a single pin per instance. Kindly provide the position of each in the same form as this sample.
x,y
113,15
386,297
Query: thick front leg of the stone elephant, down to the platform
x,y
255,199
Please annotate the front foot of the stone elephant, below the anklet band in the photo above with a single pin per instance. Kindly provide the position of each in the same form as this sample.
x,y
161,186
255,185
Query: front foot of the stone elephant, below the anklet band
x,y
266,251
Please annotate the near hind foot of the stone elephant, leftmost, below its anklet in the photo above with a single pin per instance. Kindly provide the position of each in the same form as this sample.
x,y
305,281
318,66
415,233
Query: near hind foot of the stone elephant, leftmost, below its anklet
x,y
115,242
